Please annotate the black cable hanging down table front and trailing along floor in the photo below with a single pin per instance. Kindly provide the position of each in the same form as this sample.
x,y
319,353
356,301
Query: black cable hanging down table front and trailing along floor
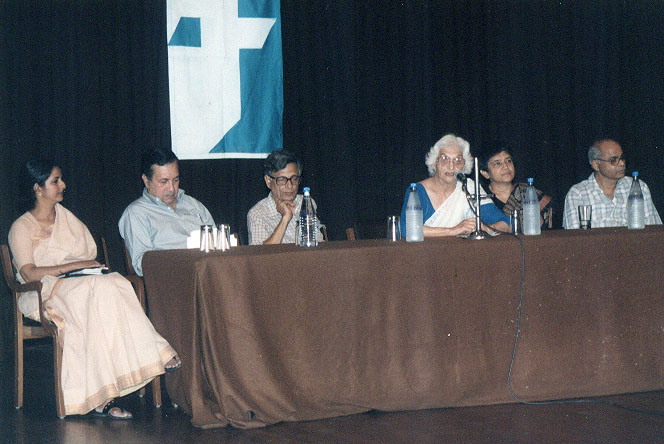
x,y
516,343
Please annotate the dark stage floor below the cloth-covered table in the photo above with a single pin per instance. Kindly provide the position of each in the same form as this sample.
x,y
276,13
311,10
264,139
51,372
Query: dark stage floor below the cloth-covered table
x,y
507,423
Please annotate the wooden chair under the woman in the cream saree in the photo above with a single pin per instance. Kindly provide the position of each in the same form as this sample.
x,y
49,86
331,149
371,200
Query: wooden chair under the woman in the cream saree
x,y
26,329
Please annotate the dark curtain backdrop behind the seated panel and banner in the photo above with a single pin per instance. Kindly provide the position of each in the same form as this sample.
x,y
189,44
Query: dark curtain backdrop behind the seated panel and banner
x,y
368,88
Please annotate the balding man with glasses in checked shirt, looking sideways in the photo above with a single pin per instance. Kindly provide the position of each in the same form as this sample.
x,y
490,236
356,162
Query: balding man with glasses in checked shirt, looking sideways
x,y
606,190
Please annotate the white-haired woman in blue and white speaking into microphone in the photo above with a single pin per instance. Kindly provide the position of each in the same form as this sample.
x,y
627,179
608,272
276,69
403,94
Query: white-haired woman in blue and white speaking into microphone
x,y
445,208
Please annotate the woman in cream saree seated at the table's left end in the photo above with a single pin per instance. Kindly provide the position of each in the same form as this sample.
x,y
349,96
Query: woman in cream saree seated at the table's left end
x,y
110,348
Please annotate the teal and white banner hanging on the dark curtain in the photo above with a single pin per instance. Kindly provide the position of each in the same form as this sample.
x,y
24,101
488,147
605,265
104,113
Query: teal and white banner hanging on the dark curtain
x,y
225,78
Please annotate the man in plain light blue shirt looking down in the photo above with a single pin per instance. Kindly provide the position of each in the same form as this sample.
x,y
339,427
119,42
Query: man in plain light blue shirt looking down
x,y
164,216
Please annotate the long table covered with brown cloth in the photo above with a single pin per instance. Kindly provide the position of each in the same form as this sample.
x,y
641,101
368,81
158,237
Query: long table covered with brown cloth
x,y
281,333
